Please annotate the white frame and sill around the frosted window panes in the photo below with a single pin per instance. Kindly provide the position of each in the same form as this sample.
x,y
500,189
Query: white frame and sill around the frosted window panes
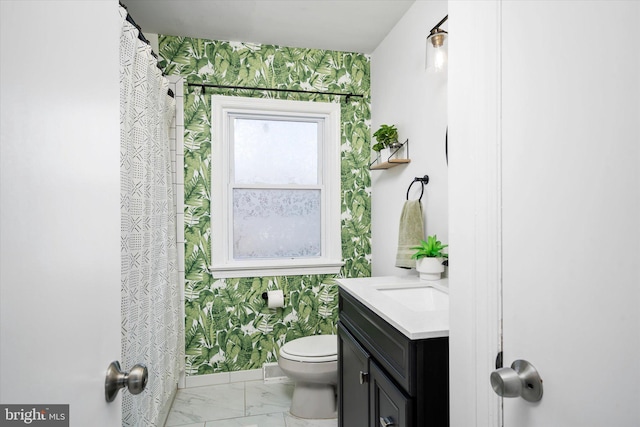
x,y
222,263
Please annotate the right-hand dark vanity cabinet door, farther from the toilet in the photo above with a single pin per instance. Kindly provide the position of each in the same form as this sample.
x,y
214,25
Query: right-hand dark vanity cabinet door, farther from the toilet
x,y
389,406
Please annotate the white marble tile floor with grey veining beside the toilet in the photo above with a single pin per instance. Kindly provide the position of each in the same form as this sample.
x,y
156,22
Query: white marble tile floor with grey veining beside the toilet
x,y
242,404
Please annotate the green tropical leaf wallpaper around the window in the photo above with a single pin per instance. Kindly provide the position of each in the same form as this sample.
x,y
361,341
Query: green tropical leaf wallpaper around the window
x,y
228,326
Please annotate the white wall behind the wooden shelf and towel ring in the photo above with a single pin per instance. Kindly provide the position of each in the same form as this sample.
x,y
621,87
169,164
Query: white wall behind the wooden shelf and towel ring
x,y
403,93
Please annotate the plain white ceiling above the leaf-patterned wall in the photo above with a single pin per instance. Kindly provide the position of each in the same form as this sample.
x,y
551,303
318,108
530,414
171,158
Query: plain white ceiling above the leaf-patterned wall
x,y
343,25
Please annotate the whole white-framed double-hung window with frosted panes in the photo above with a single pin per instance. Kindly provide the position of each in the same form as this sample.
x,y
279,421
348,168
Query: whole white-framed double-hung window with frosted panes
x,y
276,187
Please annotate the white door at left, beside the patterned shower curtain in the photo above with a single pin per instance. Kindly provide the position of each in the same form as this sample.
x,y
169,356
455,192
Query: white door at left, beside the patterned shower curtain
x,y
60,207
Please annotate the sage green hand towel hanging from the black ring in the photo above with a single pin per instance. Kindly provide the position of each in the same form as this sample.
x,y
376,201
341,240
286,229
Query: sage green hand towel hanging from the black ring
x,y
411,233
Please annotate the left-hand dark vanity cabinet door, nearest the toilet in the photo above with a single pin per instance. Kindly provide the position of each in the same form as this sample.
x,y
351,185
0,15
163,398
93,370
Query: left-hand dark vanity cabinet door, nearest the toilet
x,y
353,381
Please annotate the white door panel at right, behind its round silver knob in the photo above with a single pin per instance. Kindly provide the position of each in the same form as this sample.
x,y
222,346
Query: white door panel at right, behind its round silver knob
x,y
571,209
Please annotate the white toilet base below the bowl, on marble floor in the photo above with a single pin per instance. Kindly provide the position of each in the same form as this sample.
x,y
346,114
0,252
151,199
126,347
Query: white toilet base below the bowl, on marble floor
x,y
314,401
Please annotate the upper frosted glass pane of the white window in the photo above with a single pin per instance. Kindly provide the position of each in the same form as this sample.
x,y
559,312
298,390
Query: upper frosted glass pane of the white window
x,y
275,151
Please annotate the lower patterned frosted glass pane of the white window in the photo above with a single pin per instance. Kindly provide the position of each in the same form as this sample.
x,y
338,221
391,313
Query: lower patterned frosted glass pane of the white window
x,y
276,223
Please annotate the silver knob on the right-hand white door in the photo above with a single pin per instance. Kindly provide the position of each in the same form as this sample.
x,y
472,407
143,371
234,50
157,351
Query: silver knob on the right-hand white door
x,y
520,380
